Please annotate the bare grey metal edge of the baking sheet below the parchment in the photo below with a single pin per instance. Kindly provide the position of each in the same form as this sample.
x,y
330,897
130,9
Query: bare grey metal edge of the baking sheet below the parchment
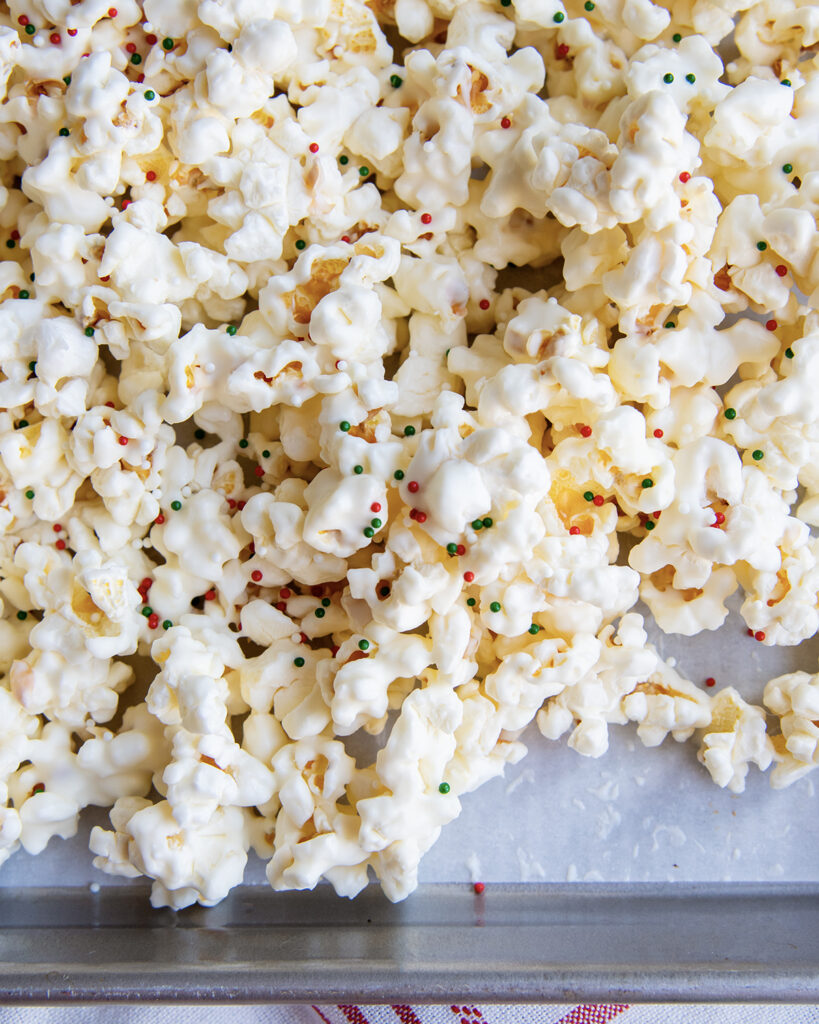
x,y
584,943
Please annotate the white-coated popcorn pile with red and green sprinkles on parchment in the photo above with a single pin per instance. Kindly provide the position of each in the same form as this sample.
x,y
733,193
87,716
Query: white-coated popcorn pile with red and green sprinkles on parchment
x,y
279,438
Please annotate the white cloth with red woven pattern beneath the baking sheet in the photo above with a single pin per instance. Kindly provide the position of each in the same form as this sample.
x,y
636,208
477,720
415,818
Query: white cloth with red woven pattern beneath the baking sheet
x,y
604,1014
